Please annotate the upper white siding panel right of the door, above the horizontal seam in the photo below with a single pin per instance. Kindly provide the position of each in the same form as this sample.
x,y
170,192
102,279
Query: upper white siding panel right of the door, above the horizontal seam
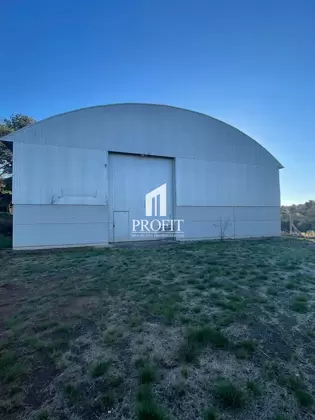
x,y
207,183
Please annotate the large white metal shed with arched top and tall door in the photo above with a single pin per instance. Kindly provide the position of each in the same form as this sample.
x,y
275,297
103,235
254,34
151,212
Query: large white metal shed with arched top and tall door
x,y
80,178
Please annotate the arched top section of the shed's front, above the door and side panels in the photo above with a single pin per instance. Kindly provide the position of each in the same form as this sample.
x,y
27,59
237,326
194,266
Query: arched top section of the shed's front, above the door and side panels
x,y
170,126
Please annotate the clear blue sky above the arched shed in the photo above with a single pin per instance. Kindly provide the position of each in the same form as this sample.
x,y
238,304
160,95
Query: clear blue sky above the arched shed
x,y
250,63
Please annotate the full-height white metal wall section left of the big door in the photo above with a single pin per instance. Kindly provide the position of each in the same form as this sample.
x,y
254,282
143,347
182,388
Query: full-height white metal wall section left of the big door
x,y
60,196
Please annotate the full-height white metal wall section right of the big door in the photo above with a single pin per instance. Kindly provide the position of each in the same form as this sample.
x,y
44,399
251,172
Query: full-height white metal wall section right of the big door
x,y
242,198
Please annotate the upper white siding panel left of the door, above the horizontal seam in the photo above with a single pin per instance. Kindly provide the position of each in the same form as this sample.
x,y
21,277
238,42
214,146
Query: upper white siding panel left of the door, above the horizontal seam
x,y
59,175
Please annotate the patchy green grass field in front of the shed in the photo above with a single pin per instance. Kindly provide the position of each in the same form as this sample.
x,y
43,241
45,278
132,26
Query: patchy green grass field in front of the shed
x,y
211,330
